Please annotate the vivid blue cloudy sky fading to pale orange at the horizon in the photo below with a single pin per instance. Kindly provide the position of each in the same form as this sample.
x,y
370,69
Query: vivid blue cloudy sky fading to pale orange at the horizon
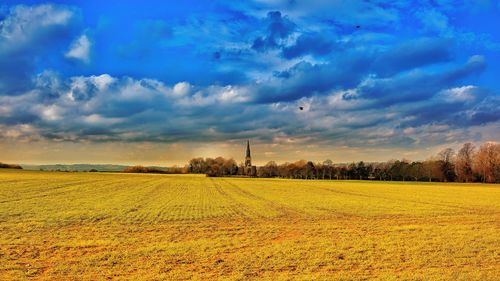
x,y
160,82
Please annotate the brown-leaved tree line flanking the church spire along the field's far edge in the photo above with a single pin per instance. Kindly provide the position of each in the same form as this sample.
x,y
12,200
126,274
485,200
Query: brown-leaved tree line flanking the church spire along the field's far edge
x,y
468,164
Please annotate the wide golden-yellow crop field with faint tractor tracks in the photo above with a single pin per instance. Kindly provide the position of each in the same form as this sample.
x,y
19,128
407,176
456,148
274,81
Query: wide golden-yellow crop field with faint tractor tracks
x,y
93,226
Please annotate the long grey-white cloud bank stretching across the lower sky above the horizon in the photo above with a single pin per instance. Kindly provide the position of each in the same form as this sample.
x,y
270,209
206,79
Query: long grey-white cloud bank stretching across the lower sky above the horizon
x,y
105,108
